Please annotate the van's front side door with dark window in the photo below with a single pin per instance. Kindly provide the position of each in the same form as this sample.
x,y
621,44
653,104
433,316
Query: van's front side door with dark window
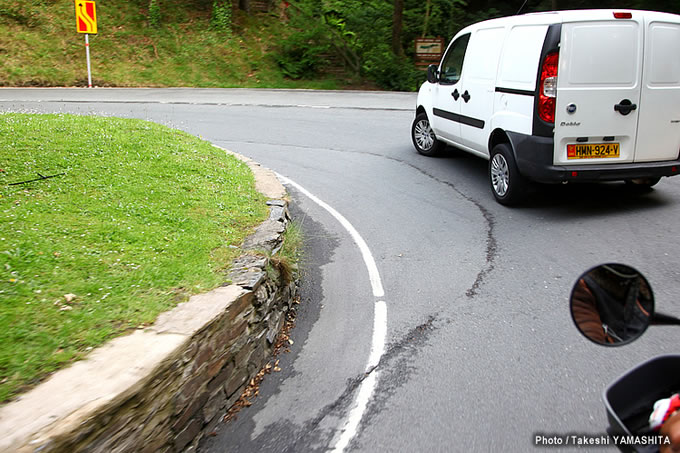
x,y
446,99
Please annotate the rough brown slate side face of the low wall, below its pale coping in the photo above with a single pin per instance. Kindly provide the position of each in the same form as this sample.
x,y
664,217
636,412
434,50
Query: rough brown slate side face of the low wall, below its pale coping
x,y
187,395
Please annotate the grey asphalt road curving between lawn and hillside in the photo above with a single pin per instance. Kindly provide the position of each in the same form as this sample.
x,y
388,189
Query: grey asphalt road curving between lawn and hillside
x,y
481,353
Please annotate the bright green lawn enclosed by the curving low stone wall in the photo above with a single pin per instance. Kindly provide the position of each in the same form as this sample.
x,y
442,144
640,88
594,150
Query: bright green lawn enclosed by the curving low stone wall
x,y
142,217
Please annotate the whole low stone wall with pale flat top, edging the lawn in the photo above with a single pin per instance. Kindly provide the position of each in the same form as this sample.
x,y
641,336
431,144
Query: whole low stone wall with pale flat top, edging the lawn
x,y
162,388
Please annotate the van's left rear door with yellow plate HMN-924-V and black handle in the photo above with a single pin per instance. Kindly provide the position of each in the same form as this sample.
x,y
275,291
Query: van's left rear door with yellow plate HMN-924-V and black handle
x,y
600,68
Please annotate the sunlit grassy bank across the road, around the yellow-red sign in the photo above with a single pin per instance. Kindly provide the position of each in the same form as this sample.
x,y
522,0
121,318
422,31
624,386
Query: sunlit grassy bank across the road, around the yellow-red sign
x,y
39,46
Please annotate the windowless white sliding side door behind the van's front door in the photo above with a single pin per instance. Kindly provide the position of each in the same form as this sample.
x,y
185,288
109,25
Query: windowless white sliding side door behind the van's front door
x,y
478,88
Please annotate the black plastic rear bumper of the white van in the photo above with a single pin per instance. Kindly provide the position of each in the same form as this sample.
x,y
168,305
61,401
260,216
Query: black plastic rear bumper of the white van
x,y
534,156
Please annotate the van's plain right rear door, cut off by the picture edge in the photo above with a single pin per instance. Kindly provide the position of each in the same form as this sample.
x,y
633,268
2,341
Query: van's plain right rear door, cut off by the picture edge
x,y
659,123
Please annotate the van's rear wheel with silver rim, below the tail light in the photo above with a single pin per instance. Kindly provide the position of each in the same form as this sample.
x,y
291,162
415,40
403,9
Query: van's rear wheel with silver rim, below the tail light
x,y
507,184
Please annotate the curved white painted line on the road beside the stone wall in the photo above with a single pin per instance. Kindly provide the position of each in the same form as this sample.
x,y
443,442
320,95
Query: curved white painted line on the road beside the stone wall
x,y
367,387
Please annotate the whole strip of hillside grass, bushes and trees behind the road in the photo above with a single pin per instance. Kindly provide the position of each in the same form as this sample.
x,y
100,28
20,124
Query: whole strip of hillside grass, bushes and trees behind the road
x,y
244,43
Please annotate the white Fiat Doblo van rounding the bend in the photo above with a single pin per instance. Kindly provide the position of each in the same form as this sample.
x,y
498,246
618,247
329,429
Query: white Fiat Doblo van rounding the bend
x,y
565,96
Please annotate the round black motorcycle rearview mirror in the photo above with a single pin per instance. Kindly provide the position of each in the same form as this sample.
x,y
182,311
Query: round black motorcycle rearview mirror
x,y
612,304
